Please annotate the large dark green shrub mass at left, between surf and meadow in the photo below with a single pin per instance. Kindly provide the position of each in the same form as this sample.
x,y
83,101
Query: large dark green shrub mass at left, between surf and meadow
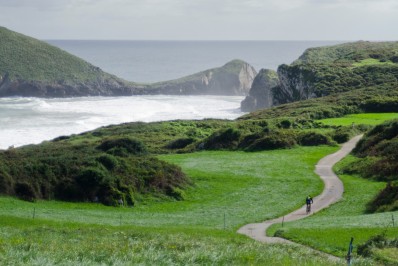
x,y
105,171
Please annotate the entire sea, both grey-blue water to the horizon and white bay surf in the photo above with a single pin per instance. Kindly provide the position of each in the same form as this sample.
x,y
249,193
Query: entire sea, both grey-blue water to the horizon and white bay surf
x,y
31,120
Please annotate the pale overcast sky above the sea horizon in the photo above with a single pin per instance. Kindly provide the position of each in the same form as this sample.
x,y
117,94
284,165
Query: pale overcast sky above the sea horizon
x,y
203,19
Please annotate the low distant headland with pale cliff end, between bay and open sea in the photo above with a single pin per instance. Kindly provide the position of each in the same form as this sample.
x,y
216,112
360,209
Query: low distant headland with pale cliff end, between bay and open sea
x,y
234,78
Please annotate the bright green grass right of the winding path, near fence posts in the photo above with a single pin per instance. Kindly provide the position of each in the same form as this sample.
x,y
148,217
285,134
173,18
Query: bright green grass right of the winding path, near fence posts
x,y
331,229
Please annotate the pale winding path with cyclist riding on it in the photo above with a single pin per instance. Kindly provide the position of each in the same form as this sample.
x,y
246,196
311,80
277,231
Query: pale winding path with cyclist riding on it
x,y
332,192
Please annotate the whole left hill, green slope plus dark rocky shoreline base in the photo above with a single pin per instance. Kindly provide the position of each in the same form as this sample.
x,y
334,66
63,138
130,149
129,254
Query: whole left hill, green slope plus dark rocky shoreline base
x,y
29,67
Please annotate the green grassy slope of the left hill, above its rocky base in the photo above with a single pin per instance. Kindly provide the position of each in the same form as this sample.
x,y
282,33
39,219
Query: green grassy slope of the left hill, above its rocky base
x,y
23,57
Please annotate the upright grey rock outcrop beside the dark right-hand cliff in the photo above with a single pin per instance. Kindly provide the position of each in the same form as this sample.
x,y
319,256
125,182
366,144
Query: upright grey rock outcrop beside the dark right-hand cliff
x,y
261,95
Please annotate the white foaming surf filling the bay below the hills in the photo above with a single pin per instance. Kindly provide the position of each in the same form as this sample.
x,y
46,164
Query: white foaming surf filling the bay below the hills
x,y
33,120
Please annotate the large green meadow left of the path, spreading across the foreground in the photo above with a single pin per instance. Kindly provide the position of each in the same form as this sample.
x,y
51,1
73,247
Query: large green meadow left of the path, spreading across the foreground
x,y
246,187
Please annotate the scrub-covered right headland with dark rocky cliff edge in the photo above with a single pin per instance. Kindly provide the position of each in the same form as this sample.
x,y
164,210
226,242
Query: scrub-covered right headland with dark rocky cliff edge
x,y
334,69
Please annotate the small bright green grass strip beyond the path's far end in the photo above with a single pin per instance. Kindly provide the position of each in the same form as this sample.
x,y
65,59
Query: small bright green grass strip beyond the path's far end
x,y
365,118
